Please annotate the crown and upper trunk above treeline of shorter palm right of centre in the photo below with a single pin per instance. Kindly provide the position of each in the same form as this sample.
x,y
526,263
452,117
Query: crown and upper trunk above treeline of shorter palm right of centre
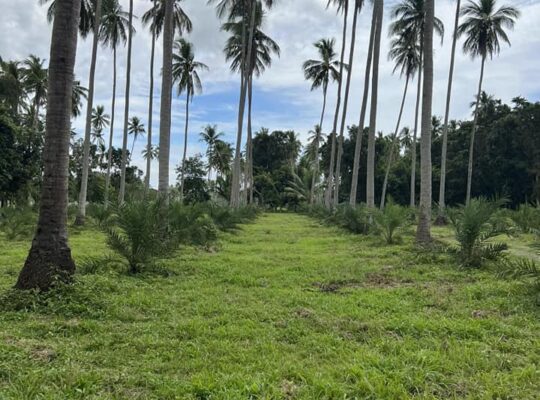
x,y
320,72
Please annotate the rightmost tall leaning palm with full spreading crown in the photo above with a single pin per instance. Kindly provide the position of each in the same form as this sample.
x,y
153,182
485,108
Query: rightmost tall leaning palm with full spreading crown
x,y
484,30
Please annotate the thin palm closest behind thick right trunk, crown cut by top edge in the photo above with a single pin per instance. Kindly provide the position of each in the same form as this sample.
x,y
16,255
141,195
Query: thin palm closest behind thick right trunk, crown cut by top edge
x,y
409,15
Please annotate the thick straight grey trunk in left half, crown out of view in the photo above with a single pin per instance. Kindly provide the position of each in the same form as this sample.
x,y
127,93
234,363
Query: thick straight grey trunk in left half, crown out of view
x,y
166,101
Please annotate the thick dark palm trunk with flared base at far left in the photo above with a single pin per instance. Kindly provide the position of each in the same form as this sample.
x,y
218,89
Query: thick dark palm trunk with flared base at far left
x,y
50,256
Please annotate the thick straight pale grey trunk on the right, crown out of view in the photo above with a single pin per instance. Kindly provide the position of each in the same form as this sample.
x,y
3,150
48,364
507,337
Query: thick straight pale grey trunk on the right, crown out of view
x,y
423,233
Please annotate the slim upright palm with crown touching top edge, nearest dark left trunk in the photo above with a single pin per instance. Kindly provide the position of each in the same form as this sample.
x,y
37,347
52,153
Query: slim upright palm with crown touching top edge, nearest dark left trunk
x,y
113,32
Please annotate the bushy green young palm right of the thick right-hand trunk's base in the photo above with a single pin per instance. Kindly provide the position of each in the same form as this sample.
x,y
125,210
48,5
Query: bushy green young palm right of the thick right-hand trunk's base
x,y
475,224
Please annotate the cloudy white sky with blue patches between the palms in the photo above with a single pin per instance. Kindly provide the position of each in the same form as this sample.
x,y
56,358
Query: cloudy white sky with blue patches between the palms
x,y
282,98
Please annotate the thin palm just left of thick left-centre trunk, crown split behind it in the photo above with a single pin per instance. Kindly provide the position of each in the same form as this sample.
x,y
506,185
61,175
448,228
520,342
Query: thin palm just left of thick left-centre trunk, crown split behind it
x,y
155,17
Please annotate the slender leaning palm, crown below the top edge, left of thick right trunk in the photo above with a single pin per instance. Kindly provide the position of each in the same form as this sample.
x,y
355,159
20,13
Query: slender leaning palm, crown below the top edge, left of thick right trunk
x,y
405,52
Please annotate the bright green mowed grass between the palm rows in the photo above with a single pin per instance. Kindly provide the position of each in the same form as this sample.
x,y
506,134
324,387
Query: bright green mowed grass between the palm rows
x,y
284,309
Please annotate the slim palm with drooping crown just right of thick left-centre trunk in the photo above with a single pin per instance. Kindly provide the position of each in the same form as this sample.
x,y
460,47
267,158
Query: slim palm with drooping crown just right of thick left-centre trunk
x,y
185,74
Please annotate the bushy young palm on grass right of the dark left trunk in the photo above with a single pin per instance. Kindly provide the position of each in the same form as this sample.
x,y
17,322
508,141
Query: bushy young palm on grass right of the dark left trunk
x,y
141,234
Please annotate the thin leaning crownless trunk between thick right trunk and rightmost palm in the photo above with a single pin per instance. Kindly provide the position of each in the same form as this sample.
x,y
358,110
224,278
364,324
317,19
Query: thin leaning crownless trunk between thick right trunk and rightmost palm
x,y
442,187
